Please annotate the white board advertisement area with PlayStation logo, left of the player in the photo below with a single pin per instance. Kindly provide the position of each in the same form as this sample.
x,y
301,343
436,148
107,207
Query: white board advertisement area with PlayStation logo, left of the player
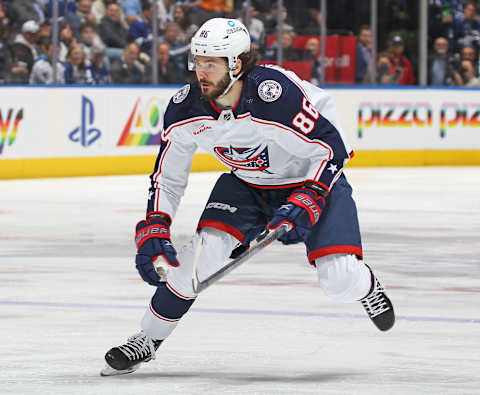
x,y
77,122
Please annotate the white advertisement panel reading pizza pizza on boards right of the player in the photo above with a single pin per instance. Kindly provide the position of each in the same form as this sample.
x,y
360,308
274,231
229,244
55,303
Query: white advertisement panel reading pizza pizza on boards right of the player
x,y
421,119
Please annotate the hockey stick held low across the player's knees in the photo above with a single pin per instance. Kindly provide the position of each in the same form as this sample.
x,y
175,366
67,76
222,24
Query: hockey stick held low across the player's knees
x,y
265,238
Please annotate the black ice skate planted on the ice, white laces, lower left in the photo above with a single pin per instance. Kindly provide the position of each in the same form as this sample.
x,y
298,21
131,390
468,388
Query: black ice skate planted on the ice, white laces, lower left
x,y
128,357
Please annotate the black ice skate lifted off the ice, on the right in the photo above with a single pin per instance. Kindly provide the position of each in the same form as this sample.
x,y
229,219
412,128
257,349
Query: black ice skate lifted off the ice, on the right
x,y
379,307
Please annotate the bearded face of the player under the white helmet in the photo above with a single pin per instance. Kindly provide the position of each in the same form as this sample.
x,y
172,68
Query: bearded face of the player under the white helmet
x,y
212,75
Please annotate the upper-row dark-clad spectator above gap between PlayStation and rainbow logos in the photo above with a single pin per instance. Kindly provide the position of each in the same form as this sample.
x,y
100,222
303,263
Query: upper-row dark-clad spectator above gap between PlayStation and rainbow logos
x,y
111,30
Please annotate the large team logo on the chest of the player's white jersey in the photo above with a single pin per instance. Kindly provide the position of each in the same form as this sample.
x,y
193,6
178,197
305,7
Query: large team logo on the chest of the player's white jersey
x,y
253,159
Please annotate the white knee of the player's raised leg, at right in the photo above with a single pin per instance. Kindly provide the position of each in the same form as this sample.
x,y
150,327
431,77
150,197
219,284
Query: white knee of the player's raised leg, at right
x,y
343,277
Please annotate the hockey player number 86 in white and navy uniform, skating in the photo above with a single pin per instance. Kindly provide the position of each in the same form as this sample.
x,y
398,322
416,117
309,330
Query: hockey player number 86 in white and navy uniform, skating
x,y
281,139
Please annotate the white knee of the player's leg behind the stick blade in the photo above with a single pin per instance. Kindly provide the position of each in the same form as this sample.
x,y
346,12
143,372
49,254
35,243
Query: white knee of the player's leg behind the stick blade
x,y
216,248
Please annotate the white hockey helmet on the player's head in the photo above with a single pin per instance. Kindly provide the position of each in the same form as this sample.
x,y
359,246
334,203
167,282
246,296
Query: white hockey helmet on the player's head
x,y
221,37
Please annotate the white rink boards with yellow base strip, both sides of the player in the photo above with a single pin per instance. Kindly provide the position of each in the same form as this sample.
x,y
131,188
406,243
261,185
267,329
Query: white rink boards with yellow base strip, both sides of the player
x,y
80,131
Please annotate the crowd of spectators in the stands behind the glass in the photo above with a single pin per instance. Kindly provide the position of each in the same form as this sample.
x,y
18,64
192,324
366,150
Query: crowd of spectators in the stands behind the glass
x,y
110,41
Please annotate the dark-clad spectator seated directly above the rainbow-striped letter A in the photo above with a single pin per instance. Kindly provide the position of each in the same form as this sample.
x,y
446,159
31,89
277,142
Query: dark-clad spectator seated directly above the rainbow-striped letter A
x,y
127,69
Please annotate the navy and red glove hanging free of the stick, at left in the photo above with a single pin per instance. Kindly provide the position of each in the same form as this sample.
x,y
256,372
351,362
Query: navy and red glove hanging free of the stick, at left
x,y
153,242
